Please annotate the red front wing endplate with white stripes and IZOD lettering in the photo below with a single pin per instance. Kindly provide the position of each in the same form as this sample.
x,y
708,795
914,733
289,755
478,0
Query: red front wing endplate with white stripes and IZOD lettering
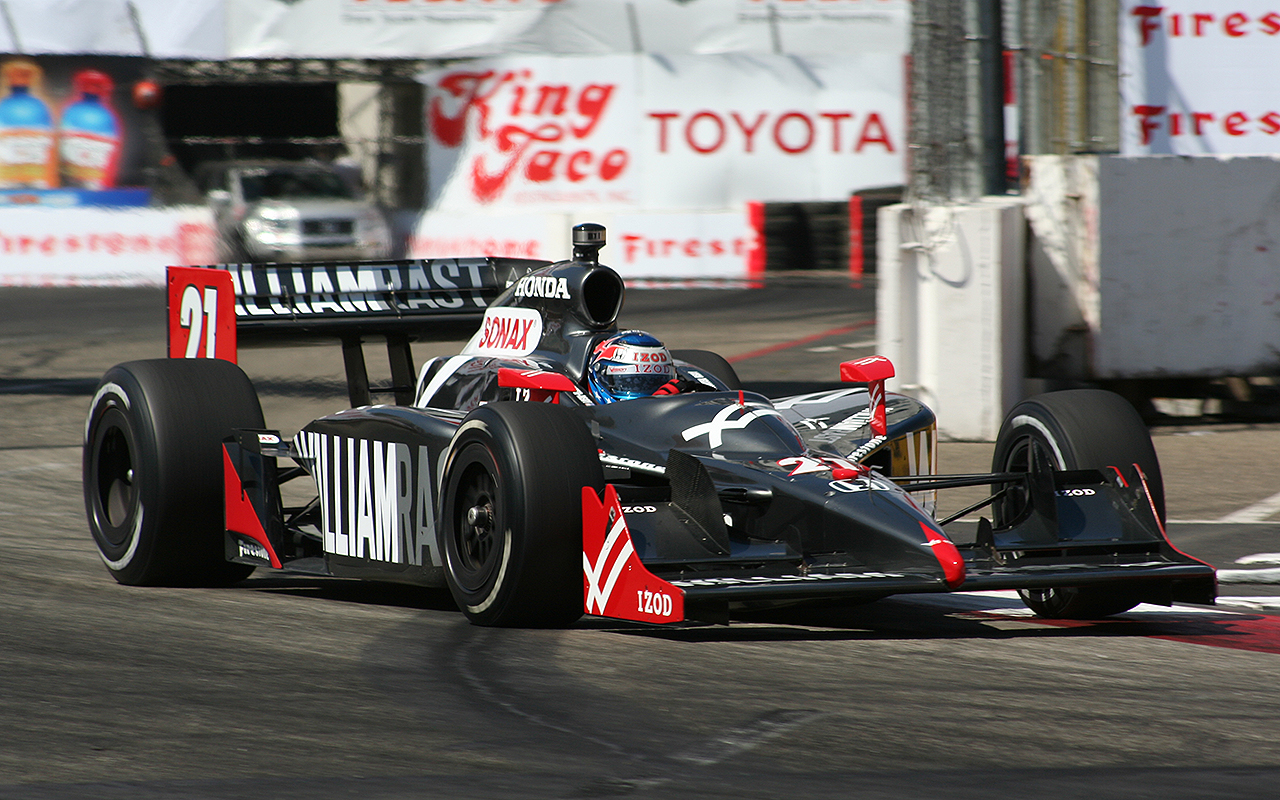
x,y
615,583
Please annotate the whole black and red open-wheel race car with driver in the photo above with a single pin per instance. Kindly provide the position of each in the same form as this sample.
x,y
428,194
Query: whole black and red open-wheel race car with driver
x,y
510,474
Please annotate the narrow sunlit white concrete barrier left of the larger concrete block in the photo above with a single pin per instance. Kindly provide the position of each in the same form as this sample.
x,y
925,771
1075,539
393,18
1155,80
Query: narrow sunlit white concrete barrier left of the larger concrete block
x,y
950,310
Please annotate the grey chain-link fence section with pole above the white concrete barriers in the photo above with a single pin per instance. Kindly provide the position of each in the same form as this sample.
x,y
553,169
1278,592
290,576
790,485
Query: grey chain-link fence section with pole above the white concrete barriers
x,y
1055,62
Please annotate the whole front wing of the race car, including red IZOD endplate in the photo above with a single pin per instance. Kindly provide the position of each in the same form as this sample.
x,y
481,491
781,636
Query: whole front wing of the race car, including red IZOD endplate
x,y
1089,531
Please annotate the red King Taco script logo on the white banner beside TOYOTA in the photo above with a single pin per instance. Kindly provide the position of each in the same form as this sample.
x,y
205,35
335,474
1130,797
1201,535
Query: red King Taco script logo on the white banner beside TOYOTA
x,y
540,132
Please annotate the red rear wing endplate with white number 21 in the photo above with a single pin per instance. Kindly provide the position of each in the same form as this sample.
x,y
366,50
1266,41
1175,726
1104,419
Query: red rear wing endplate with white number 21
x,y
202,313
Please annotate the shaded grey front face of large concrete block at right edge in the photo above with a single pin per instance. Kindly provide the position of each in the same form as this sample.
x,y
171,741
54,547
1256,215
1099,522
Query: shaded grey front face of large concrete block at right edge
x,y
1190,267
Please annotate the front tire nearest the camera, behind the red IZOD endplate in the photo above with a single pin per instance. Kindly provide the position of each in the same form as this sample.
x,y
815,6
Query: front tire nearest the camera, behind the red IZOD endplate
x,y
513,514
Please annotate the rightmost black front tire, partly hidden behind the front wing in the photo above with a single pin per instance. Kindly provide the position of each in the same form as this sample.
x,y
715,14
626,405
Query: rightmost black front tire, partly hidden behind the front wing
x,y
1080,429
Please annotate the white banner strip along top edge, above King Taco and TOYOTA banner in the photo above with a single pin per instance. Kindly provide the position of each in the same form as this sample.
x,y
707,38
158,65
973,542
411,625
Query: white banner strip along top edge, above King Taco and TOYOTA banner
x,y
463,29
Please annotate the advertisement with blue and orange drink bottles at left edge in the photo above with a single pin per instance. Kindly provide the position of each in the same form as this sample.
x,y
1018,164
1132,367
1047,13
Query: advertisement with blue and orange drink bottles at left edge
x,y
70,132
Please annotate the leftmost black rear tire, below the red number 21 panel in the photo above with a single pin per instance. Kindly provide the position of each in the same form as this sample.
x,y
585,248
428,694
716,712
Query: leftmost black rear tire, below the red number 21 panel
x,y
153,469
